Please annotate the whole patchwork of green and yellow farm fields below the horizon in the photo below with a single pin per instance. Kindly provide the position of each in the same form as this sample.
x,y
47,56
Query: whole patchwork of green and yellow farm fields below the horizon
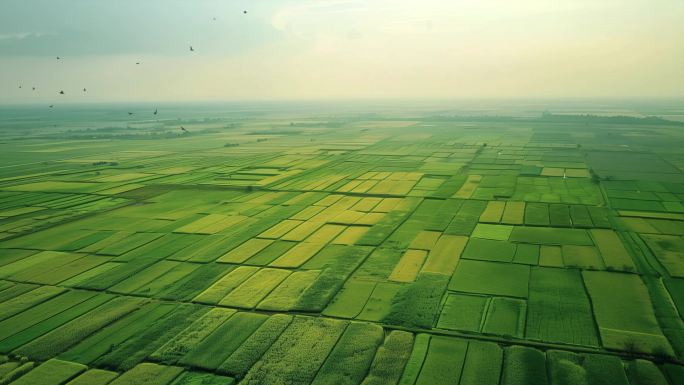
x,y
406,250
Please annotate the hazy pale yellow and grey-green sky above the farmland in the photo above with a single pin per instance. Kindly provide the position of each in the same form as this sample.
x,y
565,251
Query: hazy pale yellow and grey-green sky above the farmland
x,y
286,49
